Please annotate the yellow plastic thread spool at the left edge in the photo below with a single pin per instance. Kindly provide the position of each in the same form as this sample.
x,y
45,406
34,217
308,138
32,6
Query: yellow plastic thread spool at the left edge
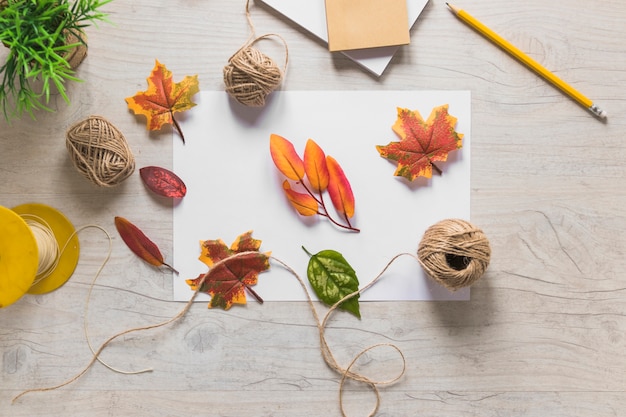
x,y
19,253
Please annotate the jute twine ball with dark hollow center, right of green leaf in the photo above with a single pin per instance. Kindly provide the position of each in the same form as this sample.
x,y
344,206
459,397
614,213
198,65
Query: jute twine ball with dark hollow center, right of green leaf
x,y
454,253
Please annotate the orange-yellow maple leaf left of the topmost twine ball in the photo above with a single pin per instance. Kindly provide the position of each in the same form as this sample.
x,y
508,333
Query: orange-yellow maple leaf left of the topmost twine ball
x,y
163,98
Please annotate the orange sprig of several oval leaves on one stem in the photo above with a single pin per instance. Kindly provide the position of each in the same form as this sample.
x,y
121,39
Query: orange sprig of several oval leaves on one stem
x,y
315,174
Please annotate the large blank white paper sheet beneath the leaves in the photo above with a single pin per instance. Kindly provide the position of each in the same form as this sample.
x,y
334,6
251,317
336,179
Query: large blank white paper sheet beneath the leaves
x,y
233,186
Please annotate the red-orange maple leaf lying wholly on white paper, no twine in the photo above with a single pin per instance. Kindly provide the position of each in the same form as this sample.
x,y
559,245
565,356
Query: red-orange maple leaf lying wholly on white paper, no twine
x,y
422,142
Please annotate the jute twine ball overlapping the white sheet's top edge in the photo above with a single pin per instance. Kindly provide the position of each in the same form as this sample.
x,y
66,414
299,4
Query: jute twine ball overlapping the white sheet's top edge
x,y
250,76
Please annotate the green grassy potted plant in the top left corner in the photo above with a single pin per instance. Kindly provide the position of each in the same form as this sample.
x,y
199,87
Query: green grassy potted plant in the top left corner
x,y
45,41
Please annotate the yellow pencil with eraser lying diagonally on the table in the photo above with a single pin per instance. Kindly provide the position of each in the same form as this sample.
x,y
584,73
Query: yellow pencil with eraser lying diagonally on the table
x,y
528,61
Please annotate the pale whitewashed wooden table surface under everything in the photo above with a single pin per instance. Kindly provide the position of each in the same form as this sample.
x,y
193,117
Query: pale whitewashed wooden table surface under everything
x,y
544,332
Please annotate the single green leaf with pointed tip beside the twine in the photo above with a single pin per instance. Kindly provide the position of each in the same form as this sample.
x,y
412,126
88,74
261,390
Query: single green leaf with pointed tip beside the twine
x,y
332,278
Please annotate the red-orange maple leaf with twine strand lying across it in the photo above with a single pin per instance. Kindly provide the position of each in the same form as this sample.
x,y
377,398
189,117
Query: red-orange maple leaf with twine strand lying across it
x,y
233,271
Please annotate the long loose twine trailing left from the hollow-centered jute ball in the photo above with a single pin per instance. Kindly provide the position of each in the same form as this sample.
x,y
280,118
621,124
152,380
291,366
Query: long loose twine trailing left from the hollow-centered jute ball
x,y
331,361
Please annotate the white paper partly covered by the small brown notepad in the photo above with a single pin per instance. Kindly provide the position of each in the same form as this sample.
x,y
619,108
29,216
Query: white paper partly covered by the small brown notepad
x,y
311,15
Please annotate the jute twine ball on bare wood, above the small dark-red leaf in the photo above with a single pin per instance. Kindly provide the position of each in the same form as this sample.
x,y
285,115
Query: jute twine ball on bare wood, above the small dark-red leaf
x,y
100,152
